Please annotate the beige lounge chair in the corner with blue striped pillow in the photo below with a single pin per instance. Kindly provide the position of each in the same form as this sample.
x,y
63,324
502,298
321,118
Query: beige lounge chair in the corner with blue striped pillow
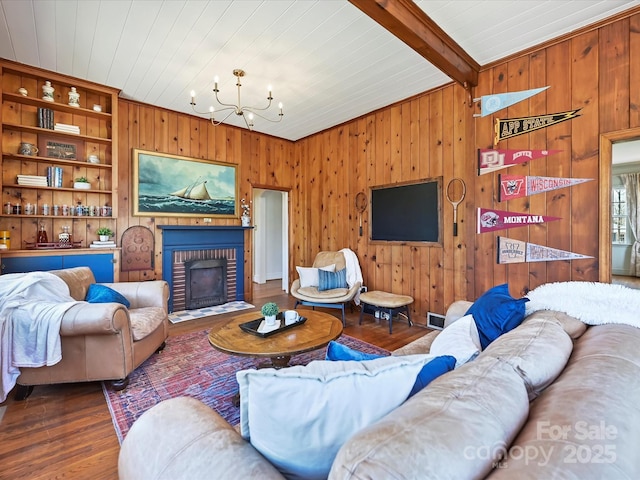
x,y
335,298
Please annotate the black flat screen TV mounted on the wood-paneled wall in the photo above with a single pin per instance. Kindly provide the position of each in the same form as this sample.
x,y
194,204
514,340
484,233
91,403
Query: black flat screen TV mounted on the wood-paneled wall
x,y
407,212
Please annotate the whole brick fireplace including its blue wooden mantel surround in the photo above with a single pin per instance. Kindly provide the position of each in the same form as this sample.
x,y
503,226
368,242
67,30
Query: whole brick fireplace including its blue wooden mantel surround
x,y
184,244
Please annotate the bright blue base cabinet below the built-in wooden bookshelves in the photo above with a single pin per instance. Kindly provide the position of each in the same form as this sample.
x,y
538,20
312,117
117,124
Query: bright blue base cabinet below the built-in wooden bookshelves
x,y
101,264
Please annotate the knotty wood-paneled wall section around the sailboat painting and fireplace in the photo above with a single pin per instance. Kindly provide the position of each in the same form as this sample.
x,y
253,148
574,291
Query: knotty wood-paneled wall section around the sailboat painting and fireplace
x,y
261,160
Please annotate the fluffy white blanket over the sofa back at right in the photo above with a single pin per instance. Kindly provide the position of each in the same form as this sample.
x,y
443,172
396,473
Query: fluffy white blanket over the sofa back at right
x,y
591,302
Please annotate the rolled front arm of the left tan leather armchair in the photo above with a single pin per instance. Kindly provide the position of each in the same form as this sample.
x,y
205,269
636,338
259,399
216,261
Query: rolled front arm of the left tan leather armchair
x,y
94,319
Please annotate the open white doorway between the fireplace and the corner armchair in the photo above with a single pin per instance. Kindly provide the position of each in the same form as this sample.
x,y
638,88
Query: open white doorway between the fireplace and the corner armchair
x,y
270,240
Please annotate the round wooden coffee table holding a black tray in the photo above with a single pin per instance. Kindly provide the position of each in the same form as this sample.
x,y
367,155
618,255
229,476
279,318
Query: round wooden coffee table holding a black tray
x,y
319,329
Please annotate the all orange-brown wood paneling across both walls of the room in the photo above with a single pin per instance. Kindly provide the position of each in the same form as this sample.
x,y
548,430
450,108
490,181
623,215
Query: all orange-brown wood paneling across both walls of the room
x,y
431,135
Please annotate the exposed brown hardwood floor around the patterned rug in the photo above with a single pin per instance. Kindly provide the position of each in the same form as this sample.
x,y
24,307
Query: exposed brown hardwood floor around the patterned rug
x,y
65,431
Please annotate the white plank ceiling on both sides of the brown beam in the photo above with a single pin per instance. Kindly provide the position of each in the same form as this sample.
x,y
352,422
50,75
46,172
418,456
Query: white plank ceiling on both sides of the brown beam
x,y
328,62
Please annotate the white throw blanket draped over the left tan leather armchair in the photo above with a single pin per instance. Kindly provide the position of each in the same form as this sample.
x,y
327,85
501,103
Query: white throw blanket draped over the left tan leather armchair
x,y
31,309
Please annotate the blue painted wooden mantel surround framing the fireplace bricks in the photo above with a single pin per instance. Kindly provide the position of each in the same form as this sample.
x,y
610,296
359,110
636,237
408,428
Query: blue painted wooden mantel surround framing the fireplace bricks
x,y
188,237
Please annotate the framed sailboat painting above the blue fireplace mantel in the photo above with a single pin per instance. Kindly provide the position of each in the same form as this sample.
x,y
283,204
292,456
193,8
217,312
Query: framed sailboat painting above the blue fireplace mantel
x,y
175,186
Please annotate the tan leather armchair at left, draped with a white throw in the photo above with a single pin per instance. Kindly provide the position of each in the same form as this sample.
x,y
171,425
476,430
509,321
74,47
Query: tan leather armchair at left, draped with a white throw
x,y
104,341
